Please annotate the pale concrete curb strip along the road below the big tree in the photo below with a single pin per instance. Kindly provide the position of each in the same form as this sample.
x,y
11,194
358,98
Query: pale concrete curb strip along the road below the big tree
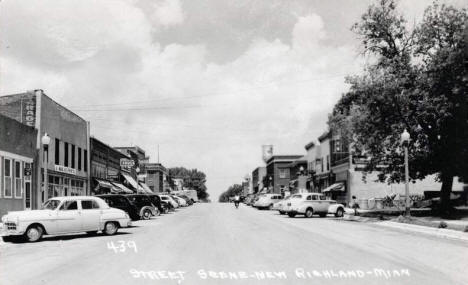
x,y
440,233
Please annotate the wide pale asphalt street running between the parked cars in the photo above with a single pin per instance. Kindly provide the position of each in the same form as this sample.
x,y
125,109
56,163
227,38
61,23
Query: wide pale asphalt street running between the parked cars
x,y
218,244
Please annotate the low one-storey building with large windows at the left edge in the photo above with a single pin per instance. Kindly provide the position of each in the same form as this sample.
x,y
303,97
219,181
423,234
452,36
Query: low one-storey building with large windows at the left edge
x,y
18,159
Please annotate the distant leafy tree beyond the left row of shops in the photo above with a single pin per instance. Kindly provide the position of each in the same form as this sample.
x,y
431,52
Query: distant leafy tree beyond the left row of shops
x,y
192,179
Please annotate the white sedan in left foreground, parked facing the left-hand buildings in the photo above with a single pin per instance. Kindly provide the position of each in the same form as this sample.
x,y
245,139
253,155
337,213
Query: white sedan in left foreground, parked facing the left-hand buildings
x,y
63,215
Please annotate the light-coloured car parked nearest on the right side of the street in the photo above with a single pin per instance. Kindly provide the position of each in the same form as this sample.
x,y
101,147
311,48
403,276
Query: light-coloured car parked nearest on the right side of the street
x,y
309,204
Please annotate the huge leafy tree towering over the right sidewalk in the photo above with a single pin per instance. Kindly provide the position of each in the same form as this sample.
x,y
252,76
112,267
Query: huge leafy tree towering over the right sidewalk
x,y
419,83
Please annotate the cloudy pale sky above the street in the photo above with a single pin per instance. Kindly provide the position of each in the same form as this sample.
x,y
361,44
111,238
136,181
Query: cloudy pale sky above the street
x,y
208,81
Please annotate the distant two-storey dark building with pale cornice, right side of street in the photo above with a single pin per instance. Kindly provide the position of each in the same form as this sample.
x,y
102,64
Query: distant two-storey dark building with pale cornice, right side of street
x,y
278,173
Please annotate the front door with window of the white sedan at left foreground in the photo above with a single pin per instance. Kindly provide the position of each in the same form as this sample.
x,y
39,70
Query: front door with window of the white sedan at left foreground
x,y
68,217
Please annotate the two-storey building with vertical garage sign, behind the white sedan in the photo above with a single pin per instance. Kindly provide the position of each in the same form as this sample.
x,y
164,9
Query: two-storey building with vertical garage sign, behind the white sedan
x,y
67,158
